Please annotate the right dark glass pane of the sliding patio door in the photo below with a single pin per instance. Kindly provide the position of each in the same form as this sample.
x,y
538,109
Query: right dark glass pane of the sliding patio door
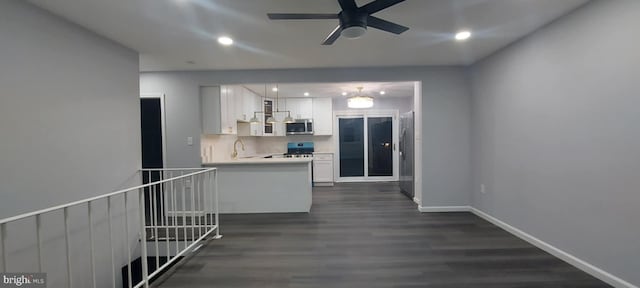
x,y
380,146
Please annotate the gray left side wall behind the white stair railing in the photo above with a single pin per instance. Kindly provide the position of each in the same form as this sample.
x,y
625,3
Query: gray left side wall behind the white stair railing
x,y
69,123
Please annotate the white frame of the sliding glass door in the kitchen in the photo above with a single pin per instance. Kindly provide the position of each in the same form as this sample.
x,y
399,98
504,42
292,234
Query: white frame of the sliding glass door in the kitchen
x,y
395,124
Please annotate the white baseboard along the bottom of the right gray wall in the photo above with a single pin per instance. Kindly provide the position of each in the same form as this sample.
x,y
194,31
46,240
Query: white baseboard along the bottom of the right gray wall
x,y
575,261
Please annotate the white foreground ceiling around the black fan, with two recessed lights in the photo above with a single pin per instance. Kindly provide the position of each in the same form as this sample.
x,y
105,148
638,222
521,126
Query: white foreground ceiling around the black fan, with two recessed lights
x,y
170,33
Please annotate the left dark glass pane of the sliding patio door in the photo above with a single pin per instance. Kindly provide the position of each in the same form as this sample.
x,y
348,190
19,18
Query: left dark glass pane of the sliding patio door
x,y
351,147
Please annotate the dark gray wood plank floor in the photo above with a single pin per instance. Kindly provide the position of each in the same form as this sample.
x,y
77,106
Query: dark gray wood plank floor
x,y
370,235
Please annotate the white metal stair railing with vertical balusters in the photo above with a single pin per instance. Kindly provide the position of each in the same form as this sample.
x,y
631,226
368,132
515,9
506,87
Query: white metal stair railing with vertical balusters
x,y
177,208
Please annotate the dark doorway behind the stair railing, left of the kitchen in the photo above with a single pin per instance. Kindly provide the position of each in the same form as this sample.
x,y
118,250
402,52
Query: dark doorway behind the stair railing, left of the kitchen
x,y
151,132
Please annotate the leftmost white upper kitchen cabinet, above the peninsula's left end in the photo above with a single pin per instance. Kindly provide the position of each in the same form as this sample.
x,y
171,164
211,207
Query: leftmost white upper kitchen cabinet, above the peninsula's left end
x,y
218,111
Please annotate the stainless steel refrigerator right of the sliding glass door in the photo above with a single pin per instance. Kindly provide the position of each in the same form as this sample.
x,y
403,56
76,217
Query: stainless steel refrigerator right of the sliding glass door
x,y
407,154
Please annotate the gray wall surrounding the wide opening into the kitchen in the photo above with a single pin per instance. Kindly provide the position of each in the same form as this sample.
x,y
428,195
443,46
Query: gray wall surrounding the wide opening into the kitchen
x,y
445,109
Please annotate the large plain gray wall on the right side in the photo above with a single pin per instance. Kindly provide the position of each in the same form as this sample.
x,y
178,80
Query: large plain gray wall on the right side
x,y
556,139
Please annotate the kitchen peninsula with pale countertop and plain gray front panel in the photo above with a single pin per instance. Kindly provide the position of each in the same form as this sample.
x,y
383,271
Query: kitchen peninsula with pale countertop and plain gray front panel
x,y
264,185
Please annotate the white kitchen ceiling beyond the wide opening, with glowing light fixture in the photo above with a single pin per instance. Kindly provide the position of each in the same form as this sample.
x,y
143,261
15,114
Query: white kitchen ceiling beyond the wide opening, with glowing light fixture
x,y
334,90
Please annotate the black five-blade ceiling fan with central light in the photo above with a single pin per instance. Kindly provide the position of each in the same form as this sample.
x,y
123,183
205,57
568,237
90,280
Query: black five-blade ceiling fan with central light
x,y
354,20
